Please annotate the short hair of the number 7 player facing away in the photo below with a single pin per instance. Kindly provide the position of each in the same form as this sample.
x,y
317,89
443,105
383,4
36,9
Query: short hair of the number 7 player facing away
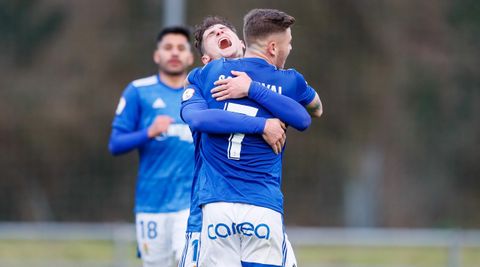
x,y
259,23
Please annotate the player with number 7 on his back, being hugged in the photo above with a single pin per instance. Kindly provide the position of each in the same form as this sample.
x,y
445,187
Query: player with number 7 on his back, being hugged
x,y
242,222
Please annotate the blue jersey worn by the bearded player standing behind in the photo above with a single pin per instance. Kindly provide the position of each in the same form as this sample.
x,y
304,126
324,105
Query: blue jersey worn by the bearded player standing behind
x,y
167,161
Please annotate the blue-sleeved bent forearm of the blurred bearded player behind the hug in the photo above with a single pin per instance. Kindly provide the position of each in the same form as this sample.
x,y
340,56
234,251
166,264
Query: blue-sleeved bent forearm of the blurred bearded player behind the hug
x,y
121,142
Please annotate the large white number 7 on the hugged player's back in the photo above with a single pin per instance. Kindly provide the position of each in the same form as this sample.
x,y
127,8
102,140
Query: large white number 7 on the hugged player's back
x,y
235,140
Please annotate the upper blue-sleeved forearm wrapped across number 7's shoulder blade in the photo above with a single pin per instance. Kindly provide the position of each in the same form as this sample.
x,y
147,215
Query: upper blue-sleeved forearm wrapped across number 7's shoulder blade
x,y
284,108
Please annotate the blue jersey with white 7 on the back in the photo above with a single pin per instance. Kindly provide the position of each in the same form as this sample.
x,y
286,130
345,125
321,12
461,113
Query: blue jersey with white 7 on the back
x,y
243,168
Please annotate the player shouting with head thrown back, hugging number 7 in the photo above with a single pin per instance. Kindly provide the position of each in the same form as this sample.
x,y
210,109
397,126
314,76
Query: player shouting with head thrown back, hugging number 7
x,y
207,40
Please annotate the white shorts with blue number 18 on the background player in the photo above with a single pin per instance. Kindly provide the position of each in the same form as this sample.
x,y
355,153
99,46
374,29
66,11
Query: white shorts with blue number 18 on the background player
x,y
160,237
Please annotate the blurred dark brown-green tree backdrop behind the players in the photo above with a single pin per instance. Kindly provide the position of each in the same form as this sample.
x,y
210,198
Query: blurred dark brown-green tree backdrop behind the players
x,y
398,145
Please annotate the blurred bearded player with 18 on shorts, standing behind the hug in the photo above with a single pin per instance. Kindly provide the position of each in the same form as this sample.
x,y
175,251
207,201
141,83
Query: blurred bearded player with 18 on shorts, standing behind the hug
x,y
147,118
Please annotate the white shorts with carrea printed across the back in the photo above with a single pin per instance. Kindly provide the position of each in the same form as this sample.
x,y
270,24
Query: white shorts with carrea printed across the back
x,y
235,235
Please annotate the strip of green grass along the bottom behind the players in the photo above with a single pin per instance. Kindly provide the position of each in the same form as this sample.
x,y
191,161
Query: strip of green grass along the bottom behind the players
x,y
98,253
